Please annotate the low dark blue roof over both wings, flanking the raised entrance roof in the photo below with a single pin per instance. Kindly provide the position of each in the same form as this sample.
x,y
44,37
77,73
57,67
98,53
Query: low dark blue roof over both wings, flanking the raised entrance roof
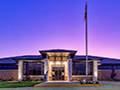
x,y
13,60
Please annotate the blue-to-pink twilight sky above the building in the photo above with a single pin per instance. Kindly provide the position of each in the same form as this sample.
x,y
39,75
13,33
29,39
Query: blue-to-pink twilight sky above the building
x,y
27,26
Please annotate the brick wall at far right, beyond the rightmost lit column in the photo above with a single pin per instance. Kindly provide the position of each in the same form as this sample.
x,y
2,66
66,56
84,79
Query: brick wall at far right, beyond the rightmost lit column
x,y
105,75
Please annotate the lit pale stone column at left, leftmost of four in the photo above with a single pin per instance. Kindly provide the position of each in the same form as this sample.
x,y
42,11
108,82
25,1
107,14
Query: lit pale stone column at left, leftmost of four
x,y
20,70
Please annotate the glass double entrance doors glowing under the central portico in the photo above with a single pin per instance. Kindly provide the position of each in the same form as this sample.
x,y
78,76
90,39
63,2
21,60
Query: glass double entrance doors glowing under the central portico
x,y
57,73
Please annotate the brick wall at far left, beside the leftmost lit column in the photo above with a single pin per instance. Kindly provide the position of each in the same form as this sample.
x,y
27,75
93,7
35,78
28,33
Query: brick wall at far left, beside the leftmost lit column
x,y
9,73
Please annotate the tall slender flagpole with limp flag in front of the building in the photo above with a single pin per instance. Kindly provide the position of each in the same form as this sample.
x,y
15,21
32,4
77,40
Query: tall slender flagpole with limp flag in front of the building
x,y
86,45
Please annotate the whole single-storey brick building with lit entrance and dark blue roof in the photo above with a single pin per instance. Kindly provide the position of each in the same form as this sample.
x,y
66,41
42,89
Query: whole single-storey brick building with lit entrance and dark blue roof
x,y
59,65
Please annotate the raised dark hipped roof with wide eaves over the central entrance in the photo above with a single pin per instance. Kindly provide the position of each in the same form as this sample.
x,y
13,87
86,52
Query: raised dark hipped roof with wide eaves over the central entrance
x,y
44,52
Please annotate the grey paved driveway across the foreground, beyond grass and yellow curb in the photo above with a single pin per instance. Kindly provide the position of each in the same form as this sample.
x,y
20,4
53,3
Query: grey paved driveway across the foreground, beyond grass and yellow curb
x,y
107,86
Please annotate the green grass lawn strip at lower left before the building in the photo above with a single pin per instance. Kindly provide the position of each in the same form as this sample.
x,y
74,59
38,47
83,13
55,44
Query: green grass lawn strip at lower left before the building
x,y
17,84
